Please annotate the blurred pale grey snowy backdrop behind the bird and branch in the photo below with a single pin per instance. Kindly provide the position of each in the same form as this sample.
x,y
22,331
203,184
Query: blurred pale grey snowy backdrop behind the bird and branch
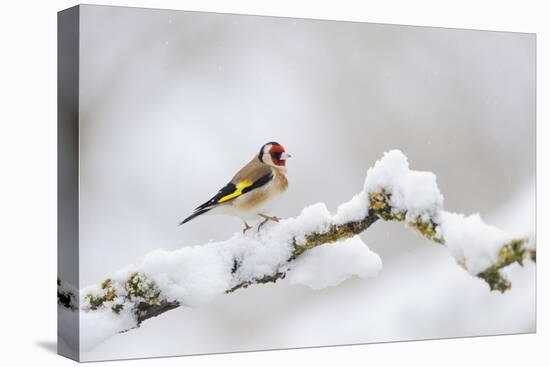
x,y
173,103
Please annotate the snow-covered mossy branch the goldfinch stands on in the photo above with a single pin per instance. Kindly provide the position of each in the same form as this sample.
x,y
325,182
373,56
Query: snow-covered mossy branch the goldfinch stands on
x,y
298,248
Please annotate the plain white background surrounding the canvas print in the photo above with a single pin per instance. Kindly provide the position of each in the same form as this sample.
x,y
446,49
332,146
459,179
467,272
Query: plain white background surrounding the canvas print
x,y
28,158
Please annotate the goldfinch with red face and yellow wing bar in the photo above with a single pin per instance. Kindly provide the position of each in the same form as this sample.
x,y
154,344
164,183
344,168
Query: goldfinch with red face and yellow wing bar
x,y
251,189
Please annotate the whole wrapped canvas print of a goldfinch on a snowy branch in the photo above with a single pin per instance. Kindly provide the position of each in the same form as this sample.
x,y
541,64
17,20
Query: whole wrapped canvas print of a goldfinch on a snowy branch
x,y
235,183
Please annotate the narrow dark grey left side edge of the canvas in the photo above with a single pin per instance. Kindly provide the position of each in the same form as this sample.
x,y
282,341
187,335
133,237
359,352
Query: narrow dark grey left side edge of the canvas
x,y
68,24
